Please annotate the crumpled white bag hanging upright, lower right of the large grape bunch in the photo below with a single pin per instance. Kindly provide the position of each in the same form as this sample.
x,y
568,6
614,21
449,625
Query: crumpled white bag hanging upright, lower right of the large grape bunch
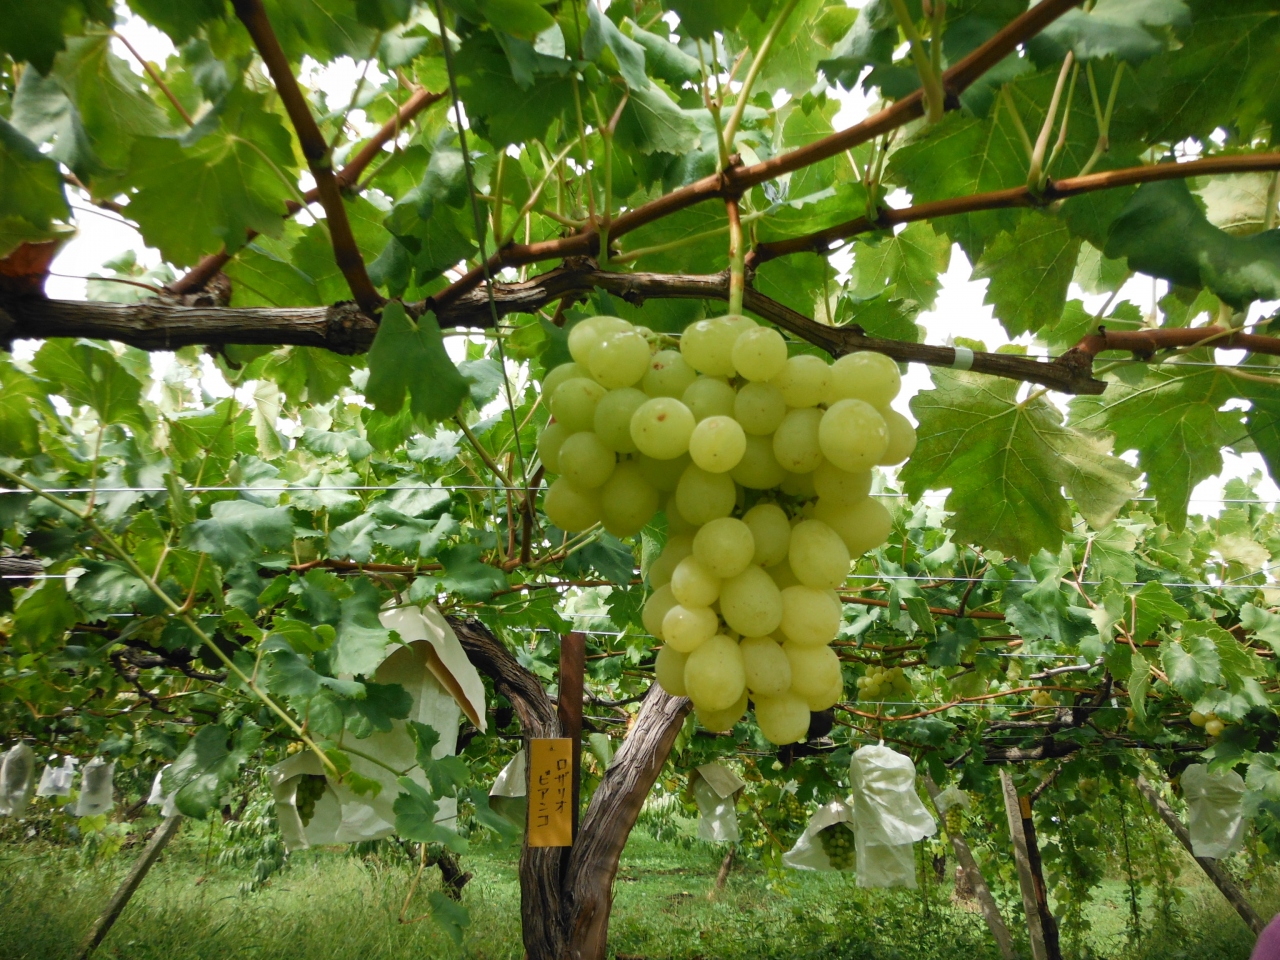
x,y
889,817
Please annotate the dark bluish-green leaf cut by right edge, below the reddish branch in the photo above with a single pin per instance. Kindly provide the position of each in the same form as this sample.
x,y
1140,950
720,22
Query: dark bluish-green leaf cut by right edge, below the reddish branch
x,y
1164,234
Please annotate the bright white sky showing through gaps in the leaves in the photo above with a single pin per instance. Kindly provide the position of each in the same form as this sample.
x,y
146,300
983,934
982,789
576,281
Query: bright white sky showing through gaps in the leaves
x,y
959,313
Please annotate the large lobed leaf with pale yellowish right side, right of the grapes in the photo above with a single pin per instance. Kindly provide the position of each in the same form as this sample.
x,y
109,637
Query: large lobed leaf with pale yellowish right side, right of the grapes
x,y
1007,464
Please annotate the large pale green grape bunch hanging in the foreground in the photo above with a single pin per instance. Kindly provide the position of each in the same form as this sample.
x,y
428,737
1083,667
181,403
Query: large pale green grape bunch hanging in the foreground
x,y
764,467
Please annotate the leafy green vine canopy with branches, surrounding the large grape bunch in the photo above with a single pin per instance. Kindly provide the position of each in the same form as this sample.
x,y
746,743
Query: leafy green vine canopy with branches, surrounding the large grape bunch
x,y
505,170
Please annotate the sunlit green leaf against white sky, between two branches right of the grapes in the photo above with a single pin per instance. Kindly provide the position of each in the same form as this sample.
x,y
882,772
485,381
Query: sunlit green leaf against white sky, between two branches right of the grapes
x,y
1030,272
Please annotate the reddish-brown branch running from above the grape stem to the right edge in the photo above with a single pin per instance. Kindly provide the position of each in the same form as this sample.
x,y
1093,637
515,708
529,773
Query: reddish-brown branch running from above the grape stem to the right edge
x,y
1023,196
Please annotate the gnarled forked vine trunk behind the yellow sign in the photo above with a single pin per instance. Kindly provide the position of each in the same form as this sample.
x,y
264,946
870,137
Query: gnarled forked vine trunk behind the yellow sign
x,y
566,894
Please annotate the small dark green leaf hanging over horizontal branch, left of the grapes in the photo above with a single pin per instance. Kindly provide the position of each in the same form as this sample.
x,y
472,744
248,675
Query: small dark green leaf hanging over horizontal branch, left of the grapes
x,y
409,356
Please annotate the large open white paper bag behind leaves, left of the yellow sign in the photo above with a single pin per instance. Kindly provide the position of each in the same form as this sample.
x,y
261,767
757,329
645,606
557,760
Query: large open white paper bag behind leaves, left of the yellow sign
x,y
432,666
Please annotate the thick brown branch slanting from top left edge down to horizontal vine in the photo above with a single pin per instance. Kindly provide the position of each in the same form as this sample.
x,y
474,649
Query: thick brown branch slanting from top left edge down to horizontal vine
x,y
317,152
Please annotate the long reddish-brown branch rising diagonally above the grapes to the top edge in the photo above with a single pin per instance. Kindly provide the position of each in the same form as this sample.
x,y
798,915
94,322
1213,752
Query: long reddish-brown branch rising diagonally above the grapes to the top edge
x,y
737,180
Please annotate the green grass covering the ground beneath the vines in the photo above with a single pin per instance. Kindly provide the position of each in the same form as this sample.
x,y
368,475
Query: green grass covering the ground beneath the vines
x,y
337,907
